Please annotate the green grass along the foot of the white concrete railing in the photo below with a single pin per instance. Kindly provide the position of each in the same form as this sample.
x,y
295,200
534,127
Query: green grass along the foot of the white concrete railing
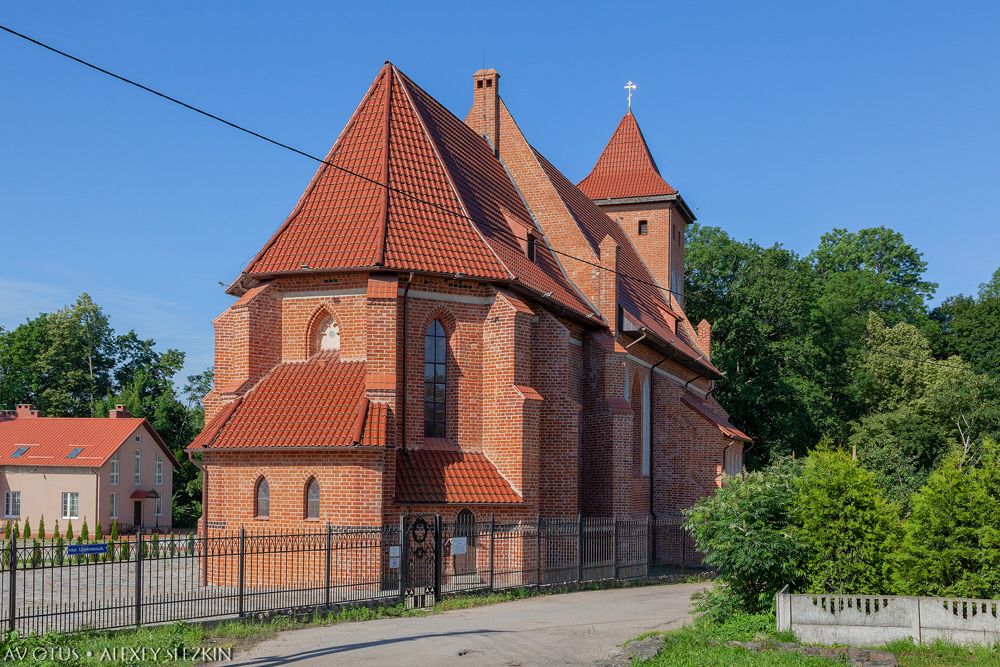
x,y
702,644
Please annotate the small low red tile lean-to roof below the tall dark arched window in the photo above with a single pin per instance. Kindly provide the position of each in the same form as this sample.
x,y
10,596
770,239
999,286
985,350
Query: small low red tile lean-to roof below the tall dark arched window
x,y
424,476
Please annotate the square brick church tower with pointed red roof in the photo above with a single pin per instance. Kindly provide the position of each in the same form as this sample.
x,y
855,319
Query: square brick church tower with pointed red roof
x,y
628,187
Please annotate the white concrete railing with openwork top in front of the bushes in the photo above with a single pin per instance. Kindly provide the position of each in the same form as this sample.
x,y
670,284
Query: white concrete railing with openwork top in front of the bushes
x,y
873,620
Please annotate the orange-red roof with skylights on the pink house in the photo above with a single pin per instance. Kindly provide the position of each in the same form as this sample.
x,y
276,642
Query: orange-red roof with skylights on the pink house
x,y
50,440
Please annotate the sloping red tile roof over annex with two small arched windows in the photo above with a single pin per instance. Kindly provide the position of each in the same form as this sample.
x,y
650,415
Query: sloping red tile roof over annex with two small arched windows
x,y
316,403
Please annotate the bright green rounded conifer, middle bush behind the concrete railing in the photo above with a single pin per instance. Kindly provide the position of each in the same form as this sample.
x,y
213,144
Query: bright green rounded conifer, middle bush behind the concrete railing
x,y
847,526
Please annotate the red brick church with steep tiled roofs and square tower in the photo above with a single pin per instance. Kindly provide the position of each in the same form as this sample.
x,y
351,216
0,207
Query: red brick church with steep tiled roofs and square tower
x,y
446,324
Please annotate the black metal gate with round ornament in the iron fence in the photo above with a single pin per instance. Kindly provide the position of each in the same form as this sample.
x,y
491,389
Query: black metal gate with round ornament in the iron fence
x,y
422,567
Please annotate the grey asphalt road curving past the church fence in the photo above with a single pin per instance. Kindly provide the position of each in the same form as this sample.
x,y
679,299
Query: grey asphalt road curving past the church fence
x,y
569,629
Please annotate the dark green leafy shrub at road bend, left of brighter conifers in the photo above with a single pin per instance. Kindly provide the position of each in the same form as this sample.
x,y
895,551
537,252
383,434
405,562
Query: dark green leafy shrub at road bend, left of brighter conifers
x,y
746,533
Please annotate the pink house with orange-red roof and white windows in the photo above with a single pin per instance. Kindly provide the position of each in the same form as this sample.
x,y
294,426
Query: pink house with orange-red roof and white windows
x,y
73,469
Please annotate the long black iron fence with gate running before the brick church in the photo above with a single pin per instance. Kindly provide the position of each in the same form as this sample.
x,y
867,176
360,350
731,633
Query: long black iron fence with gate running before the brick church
x,y
140,580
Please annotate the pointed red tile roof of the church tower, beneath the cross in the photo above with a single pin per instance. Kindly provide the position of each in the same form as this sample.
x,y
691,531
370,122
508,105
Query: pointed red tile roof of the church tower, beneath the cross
x,y
626,167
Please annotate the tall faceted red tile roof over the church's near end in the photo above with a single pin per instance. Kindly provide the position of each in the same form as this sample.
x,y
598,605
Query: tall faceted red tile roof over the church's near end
x,y
441,174
